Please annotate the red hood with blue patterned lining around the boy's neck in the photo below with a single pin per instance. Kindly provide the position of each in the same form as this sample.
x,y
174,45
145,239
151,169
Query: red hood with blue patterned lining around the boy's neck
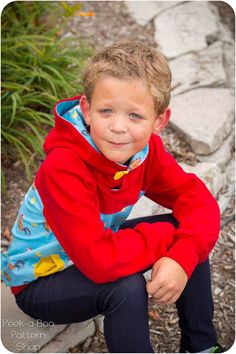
x,y
71,132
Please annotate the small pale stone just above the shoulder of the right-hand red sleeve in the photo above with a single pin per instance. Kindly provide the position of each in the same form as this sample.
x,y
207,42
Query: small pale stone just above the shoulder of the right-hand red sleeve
x,y
209,173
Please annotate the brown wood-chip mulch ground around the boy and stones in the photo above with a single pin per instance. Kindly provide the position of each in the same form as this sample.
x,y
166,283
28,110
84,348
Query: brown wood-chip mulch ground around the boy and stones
x,y
112,22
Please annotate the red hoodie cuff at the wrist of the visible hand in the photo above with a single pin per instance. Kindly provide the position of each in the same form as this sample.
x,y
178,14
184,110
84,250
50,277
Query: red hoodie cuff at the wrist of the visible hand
x,y
185,253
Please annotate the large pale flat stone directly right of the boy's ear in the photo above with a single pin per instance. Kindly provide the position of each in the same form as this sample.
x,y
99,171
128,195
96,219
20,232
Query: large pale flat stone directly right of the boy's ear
x,y
204,116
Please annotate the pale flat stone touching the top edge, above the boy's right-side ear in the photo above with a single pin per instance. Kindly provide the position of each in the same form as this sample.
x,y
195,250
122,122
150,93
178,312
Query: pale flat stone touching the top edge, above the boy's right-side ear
x,y
186,28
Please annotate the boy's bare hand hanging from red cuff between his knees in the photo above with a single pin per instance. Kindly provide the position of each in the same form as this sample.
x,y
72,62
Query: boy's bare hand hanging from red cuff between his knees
x,y
167,282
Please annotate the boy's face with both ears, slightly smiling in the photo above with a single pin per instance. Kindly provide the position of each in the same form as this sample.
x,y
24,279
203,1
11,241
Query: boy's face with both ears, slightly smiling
x,y
121,117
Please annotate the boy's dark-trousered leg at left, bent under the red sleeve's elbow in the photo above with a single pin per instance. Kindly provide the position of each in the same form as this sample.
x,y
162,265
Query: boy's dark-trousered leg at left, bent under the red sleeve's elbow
x,y
69,297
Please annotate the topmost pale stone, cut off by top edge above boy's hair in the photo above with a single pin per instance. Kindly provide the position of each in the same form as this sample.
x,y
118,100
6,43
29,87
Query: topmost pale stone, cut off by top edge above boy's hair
x,y
142,12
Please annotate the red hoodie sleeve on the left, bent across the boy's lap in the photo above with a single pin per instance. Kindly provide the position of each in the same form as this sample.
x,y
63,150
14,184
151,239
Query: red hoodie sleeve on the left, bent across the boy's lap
x,y
71,208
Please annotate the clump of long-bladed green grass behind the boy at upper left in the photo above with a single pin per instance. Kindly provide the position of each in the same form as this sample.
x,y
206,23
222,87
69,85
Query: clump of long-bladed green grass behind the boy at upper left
x,y
38,68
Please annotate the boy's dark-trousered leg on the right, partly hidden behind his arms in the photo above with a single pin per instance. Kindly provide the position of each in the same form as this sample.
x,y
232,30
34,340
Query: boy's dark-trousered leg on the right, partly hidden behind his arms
x,y
195,305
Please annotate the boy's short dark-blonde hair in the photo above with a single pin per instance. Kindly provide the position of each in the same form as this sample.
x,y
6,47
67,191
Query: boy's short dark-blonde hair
x,y
131,60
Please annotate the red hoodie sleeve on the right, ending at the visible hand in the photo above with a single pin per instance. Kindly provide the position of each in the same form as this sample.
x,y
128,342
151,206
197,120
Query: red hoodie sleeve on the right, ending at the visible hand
x,y
193,206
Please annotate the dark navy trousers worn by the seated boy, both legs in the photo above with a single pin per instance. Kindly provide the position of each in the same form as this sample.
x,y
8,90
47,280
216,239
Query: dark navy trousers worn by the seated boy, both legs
x,y
69,296
